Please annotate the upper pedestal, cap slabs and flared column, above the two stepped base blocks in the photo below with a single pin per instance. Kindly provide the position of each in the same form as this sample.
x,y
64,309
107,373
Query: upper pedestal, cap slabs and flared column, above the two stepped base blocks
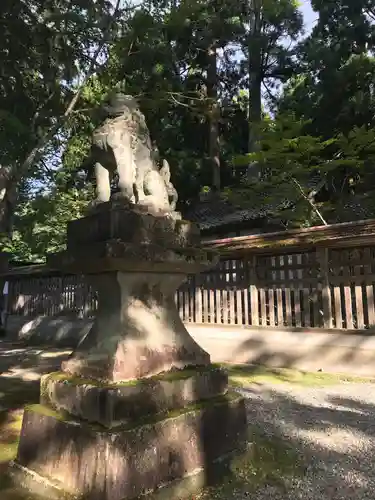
x,y
135,261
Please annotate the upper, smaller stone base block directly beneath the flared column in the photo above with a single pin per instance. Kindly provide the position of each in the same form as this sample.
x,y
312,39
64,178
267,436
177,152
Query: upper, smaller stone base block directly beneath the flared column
x,y
114,404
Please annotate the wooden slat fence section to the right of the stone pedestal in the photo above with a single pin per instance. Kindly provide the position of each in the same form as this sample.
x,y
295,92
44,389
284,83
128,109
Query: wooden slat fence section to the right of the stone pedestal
x,y
322,288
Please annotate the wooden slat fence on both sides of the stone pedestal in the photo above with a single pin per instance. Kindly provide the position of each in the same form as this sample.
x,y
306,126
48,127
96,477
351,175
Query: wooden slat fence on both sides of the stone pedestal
x,y
316,288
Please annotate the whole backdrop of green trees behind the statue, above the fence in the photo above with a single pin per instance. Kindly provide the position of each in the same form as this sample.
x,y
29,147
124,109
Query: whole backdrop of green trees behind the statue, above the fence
x,y
315,155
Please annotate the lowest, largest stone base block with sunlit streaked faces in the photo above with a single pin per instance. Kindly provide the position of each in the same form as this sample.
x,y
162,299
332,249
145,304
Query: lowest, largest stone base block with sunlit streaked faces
x,y
98,464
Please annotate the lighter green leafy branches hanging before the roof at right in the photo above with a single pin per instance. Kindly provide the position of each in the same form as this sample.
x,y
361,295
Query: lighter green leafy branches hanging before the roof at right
x,y
291,167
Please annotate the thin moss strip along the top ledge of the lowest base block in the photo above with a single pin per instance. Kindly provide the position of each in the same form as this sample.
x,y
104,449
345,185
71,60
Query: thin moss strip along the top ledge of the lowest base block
x,y
226,399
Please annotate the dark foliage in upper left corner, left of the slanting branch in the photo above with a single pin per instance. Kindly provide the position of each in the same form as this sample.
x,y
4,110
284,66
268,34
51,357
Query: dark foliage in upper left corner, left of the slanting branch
x,y
43,51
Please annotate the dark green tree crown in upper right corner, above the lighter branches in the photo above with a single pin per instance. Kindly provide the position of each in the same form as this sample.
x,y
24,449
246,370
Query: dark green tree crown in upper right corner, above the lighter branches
x,y
334,88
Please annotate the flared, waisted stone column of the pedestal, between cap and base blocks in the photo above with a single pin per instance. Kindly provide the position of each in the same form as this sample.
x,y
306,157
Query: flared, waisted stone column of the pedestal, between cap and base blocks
x,y
137,330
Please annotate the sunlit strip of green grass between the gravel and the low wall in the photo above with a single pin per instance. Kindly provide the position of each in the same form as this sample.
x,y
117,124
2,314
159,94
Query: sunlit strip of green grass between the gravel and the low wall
x,y
245,375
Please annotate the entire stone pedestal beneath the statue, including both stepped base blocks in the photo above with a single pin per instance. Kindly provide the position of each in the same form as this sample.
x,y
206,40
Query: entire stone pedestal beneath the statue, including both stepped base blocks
x,y
138,404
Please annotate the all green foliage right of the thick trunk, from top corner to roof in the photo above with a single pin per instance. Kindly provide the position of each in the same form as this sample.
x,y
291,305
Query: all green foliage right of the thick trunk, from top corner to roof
x,y
327,167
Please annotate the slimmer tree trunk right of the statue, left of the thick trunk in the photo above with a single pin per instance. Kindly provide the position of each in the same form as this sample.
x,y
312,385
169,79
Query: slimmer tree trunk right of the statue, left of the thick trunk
x,y
214,118
